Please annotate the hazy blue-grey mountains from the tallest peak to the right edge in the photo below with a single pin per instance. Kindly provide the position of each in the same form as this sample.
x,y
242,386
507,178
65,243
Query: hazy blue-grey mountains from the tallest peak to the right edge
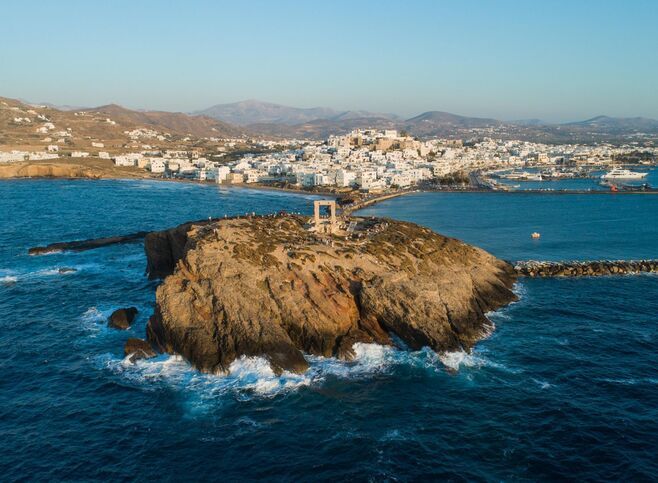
x,y
270,119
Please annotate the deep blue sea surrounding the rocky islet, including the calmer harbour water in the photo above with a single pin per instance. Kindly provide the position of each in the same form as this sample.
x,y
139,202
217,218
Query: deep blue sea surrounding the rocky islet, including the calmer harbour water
x,y
565,388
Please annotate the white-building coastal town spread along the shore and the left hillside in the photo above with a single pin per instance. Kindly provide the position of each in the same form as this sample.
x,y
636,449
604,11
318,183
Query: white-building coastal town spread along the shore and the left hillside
x,y
363,160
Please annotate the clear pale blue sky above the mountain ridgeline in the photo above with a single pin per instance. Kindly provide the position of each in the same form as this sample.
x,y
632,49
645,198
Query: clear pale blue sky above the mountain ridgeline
x,y
550,59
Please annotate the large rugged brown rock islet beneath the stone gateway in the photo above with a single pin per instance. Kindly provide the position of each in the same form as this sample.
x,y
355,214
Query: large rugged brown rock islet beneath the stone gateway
x,y
267,286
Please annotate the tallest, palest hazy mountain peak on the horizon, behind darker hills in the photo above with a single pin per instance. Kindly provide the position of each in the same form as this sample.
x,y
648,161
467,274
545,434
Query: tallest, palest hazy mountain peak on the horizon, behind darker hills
x,y
257,112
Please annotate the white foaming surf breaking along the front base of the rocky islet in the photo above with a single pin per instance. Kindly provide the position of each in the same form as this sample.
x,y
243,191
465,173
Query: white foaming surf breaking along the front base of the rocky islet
x,y
253,377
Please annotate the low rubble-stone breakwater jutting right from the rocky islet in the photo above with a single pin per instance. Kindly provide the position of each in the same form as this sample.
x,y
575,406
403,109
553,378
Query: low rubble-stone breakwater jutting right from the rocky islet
x,y
591,268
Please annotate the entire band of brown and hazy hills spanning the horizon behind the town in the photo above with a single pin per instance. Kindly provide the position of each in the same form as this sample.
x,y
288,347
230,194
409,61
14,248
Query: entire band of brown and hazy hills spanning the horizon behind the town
x,y
255,118
